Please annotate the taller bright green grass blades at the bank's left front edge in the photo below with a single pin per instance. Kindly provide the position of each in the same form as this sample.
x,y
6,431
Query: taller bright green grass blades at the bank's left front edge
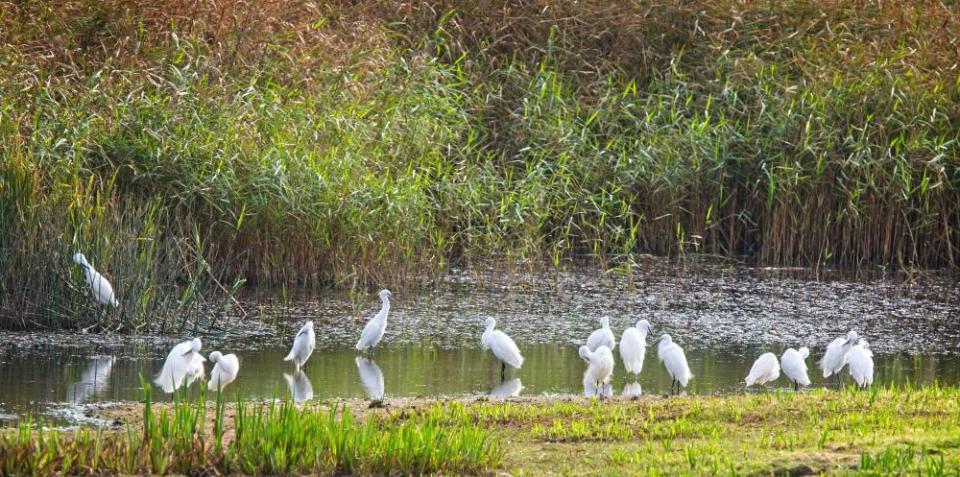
x,y
267,439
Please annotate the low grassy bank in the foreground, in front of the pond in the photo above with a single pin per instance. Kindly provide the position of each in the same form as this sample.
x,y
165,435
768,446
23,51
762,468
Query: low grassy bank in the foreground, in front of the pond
x,y
877,432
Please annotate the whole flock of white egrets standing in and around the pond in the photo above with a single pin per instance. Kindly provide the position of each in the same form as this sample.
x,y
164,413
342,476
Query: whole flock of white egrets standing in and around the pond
x,y
185,364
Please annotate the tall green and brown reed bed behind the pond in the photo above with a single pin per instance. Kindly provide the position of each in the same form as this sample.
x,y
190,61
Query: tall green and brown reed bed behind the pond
x,y
186,152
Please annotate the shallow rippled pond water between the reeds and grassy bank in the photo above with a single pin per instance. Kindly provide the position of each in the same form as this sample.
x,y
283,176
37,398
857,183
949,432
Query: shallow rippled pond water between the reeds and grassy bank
x,y
723,315
